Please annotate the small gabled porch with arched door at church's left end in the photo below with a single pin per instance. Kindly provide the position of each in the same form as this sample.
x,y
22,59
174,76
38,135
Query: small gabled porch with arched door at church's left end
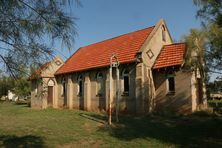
x,y
43,84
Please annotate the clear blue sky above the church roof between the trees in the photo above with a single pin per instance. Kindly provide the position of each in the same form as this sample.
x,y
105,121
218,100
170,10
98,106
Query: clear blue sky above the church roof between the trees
x,y
103,19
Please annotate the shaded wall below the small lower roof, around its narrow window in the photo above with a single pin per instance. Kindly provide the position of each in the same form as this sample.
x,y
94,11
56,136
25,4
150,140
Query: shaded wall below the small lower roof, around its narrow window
x,y
181,100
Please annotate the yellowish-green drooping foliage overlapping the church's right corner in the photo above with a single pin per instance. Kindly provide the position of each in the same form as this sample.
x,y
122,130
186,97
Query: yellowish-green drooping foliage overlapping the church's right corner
x,y
195,59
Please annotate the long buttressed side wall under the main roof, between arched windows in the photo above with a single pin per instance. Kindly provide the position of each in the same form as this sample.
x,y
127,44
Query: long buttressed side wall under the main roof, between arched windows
x,y
90,99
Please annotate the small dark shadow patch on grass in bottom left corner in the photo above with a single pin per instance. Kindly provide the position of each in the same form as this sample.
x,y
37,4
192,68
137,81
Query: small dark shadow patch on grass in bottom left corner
x,y
9,141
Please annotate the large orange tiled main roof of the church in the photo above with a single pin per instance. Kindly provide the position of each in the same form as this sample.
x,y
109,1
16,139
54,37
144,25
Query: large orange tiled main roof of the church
x,y
98,55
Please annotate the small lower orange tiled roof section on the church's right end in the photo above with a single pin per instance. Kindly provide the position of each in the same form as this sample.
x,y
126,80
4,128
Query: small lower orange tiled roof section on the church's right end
x,y
170,55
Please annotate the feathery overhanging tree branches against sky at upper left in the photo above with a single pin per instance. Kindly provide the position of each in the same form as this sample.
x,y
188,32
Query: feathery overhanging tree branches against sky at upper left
x,y
29,28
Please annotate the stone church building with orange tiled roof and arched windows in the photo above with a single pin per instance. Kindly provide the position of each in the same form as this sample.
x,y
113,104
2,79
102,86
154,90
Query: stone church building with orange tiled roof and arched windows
x,y
141,71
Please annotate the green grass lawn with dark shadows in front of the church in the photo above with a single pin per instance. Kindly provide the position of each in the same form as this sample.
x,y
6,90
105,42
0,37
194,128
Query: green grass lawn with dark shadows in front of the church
x,y
21,126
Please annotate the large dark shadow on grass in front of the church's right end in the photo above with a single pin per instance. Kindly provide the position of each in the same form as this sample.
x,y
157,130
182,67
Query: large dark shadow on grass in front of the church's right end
x,y
185,131
